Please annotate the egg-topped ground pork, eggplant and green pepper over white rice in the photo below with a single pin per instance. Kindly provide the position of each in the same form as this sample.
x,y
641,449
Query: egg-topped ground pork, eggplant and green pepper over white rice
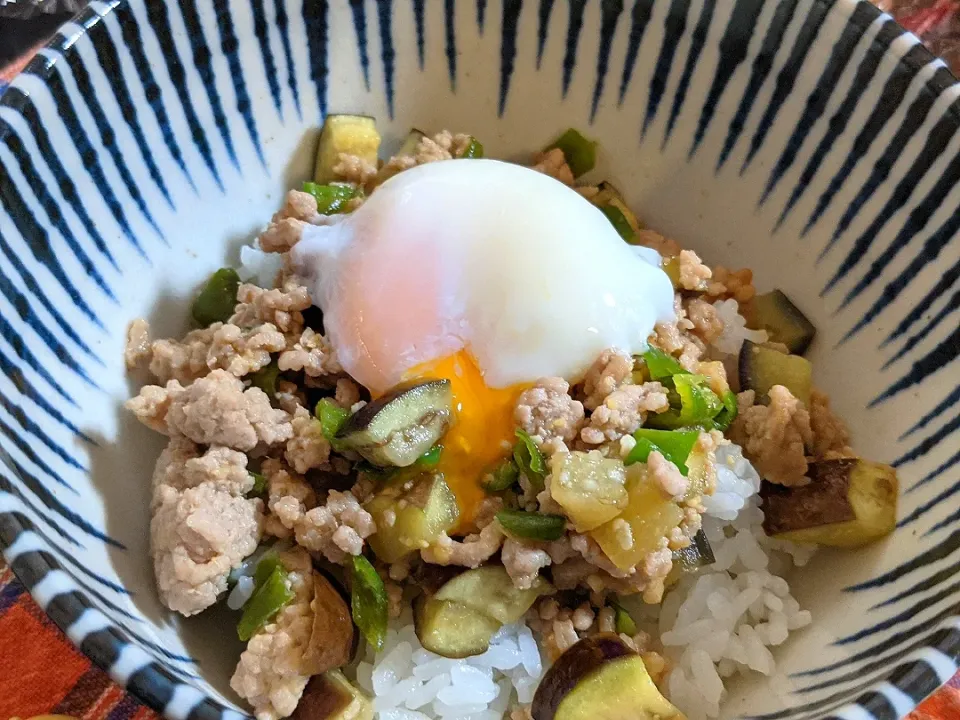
x,y
461,438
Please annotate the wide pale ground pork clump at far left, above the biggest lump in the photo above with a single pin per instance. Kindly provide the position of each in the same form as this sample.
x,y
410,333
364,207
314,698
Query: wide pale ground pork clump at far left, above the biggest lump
x,y
216,410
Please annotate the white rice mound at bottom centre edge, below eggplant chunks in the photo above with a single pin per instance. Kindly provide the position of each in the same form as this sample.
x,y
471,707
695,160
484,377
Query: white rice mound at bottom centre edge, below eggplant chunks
x,y
408,682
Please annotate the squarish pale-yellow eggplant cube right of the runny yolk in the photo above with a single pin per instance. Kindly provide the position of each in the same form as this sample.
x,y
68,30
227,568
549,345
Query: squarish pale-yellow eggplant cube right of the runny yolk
x,y
590,488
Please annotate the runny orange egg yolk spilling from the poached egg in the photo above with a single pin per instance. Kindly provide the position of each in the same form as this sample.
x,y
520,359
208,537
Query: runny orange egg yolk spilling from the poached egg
x,y
482,432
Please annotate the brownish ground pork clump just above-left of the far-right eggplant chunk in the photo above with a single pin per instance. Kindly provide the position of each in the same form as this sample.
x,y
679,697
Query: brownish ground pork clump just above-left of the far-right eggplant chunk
x,y
774,437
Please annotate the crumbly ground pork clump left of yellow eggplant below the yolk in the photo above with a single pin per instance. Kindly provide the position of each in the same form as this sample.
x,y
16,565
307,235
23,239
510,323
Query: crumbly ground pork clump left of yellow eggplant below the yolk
x,y
337,528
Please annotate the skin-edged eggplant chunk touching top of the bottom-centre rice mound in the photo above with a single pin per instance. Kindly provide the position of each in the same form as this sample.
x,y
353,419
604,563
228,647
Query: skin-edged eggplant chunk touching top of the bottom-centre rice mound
x,y
451,629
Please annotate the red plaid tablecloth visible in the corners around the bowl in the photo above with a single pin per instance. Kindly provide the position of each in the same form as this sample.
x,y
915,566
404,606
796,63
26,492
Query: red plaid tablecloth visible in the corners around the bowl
x,y
41,672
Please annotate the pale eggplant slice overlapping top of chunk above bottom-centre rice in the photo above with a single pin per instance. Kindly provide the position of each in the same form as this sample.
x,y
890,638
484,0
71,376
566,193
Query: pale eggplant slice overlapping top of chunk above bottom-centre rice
x,y
489,590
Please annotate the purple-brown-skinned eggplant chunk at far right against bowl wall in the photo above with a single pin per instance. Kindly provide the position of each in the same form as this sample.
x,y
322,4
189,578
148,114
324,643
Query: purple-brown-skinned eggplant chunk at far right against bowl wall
x,y
849,502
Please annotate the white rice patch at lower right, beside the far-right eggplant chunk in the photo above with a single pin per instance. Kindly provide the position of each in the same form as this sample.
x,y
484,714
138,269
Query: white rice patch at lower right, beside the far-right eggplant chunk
x,y
723,621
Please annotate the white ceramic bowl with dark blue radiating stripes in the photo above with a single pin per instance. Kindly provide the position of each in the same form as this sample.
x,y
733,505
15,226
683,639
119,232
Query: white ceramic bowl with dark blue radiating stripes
x,y
812,140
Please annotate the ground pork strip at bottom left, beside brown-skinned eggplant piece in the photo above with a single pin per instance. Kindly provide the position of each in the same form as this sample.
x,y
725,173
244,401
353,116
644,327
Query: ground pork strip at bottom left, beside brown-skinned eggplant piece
x,y
271,675
